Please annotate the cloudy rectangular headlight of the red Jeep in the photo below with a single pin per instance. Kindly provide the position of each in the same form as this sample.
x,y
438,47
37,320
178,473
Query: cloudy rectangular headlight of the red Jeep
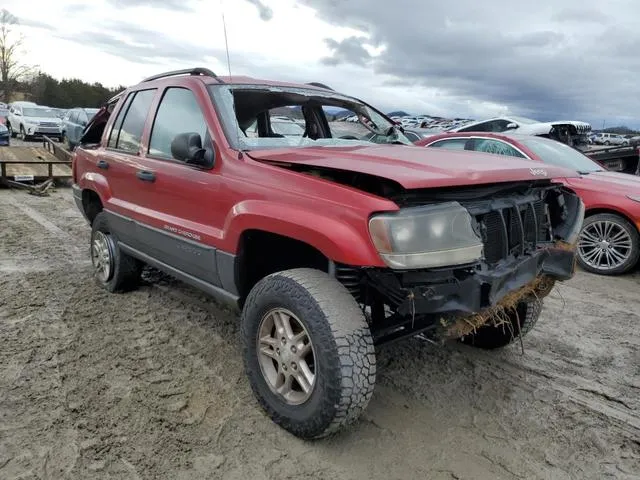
x,y
426,237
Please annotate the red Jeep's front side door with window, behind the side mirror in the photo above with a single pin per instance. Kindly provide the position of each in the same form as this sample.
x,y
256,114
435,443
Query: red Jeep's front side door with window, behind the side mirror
x,y
181,203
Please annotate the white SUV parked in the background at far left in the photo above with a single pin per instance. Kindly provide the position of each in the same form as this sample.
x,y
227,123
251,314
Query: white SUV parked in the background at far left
x,y
28,120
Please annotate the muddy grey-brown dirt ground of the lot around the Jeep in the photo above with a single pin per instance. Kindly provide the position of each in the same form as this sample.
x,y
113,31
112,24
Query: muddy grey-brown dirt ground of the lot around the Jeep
x,y
150,384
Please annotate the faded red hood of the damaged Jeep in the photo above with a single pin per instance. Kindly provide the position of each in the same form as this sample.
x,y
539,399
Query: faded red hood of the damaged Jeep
x,y
417,167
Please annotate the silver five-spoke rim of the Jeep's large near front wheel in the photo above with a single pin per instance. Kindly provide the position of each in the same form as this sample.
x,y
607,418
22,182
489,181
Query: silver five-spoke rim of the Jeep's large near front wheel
x,y
286,356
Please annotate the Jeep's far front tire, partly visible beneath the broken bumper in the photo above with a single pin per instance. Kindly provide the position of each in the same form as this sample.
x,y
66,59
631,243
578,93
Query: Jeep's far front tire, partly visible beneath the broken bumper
x,y
521,320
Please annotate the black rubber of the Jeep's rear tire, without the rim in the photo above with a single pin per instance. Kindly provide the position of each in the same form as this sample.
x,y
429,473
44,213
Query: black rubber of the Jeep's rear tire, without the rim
x,y
126,270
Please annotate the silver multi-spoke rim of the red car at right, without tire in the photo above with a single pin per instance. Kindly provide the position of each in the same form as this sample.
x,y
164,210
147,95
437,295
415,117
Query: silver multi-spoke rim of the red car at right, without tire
x,y
604,245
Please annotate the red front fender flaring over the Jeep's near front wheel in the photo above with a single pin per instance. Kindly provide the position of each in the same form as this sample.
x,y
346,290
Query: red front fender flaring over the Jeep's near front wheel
x,y
341,236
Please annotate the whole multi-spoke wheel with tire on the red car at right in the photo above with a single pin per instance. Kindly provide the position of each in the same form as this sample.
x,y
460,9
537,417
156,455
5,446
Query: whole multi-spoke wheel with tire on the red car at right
x,y
608,245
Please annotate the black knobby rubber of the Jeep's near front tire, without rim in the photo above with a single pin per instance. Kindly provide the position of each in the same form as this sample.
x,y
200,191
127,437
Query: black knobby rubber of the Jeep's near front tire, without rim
x,y
345,363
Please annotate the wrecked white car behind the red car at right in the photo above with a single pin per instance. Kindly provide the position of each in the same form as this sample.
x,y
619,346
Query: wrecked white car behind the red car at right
x,y
572,132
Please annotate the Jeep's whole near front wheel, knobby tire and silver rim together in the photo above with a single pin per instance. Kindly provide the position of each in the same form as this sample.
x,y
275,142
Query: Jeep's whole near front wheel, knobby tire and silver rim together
x,y
308,353
